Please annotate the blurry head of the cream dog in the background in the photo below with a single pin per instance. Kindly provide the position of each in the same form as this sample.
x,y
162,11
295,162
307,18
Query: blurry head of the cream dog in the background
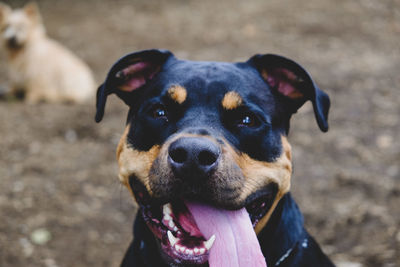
x,y
19,26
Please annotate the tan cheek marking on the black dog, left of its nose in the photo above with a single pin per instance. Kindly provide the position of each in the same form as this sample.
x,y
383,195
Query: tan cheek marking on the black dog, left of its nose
x,y
133,162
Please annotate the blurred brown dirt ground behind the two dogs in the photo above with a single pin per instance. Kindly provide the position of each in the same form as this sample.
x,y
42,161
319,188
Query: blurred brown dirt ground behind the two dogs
x,y
60,201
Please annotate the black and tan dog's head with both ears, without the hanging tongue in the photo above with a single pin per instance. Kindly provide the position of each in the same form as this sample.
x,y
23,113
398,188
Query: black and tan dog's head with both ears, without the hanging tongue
x,y
206,132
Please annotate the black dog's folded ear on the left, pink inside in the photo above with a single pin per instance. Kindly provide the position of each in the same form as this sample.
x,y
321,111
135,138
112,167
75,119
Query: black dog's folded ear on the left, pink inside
x,y
129,74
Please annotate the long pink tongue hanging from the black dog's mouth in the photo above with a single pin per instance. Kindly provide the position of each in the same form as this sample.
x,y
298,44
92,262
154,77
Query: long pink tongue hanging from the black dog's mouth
x,y
236,243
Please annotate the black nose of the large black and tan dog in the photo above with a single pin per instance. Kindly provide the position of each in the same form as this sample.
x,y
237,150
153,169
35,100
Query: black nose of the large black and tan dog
x,y
193,157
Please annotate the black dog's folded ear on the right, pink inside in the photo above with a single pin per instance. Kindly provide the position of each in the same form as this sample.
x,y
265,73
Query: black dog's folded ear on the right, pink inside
x,y
290,80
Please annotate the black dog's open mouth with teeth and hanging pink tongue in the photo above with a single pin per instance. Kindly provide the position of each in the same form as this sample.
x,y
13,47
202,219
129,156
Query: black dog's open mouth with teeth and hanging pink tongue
x,y
188,232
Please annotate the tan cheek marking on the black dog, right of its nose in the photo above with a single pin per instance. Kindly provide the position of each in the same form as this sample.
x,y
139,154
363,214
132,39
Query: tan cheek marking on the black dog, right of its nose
x,y
259,174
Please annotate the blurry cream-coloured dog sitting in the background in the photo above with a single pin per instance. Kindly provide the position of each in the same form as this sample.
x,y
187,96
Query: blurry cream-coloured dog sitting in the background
x,y
40,69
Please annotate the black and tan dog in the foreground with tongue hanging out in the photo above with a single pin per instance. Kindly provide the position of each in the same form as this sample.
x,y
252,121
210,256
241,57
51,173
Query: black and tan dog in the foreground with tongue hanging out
x,y
206,156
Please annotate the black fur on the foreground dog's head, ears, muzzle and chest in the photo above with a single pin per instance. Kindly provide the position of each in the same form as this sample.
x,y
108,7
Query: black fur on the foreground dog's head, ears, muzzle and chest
x,y
284,241
